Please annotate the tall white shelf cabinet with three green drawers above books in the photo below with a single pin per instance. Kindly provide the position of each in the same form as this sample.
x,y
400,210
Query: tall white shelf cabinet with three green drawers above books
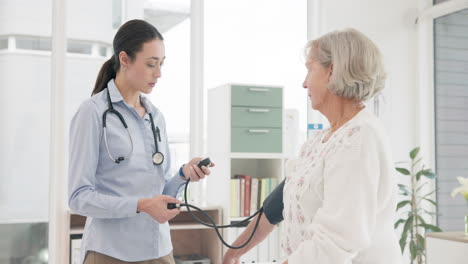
x,y
245,137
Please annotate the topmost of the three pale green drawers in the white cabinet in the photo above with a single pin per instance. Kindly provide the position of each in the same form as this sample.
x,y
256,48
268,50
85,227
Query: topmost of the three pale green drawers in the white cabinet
x,y
256,96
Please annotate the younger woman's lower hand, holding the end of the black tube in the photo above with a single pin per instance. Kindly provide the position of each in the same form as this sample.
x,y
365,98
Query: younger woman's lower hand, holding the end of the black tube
x,y
156,207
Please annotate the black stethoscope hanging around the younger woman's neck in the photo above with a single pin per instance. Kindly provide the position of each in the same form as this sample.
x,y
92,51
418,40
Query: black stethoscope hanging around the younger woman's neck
x,y
158,157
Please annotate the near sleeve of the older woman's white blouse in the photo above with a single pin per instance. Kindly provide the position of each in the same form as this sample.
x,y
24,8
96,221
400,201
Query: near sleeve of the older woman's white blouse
x,y
345,223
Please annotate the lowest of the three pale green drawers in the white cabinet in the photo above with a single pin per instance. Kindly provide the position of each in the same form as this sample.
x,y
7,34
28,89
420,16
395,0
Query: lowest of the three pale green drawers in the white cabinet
x,y
256,139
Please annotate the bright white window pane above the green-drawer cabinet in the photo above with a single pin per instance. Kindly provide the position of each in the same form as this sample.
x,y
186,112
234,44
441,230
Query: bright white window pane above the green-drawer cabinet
x,y
258,42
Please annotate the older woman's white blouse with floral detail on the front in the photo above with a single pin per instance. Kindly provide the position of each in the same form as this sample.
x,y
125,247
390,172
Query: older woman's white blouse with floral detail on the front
x,y
340,198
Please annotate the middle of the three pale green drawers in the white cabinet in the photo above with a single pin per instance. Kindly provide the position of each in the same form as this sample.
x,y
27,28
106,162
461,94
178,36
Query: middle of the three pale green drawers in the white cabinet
x,y
255,117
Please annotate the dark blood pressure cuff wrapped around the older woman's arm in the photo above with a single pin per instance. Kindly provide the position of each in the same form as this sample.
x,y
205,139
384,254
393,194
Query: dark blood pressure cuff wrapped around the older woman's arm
x,y
273,205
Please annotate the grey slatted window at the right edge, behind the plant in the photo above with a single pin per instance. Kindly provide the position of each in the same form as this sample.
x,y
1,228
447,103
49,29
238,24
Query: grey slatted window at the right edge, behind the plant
x,y
451,114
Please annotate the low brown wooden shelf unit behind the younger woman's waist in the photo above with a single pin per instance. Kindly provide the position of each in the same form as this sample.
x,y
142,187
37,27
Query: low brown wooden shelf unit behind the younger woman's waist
x,y
188,237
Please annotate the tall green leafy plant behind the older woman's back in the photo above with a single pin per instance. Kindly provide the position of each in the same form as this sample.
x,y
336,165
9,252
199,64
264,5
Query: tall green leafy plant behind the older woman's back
x,y
412,207
